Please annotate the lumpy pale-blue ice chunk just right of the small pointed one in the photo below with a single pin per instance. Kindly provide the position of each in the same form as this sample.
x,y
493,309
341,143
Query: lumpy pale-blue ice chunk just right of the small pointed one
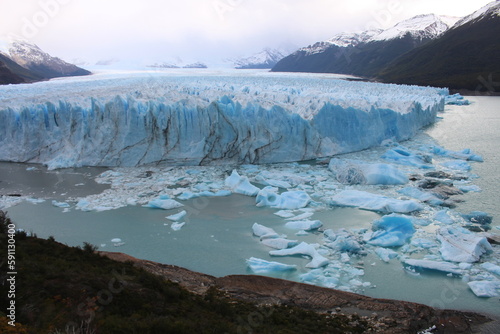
x,y
290,200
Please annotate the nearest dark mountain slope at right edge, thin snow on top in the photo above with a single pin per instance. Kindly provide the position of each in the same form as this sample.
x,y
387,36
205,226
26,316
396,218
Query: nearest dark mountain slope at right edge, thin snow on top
x,y
464,57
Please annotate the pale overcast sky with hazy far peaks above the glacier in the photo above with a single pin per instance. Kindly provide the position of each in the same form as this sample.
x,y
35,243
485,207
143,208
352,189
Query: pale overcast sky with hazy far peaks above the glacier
x,y
208,30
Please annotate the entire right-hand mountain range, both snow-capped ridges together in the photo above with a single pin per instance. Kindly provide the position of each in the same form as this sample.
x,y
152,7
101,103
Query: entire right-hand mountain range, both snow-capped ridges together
x,y
459,53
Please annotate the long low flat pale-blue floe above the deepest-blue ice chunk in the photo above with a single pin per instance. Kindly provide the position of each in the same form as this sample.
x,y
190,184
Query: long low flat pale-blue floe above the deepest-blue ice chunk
x,y
374,202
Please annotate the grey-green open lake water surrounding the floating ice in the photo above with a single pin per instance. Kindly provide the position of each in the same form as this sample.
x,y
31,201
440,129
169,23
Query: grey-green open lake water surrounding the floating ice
x,y
218,238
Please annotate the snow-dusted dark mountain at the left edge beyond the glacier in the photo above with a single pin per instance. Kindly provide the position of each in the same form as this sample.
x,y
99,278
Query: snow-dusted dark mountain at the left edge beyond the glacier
x,y
21,62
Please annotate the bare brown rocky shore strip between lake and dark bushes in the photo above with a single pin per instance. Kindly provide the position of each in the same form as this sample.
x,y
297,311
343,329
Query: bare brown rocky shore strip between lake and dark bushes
x,y
387,316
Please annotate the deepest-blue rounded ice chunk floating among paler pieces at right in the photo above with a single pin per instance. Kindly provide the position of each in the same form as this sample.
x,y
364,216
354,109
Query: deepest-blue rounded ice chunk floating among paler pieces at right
x,y
390,231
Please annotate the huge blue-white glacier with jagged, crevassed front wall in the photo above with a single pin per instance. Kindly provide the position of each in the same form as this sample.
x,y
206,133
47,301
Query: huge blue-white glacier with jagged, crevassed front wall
x,y
200,120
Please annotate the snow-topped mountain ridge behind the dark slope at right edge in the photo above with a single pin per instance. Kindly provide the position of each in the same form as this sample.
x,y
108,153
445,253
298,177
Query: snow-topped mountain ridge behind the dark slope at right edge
x,y
365,53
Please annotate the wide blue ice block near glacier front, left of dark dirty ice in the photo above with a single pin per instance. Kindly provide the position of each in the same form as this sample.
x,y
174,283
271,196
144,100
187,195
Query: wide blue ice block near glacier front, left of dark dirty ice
x,y
356,172
